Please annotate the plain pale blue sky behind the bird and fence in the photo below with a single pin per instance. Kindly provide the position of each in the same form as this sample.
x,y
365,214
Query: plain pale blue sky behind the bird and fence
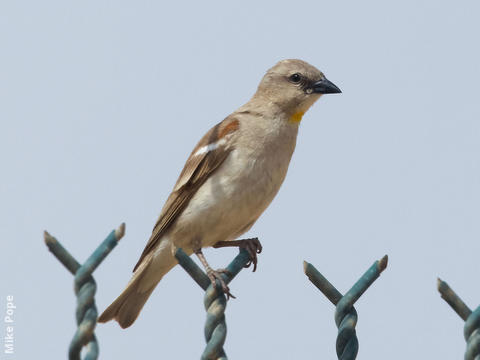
x,y
101,102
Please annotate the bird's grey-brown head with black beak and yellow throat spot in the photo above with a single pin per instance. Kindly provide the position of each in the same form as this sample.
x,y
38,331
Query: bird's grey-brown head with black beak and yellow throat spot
x,y
294,85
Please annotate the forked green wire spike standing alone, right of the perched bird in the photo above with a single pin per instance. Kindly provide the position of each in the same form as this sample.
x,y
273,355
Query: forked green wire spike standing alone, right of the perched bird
x,y
345,314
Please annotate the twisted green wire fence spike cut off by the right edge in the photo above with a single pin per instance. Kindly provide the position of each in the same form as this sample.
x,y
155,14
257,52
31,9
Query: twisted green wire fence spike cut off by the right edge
x,y
471,330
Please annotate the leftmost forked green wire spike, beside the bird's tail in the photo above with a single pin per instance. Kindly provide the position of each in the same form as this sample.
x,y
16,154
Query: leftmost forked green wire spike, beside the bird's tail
x,y
85,288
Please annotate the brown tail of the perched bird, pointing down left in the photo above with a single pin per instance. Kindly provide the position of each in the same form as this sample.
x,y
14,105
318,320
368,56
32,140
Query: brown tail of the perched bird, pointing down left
x,y
126,308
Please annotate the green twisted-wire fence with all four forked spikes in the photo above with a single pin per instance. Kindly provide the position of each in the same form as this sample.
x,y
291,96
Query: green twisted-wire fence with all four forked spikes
x,y
215,301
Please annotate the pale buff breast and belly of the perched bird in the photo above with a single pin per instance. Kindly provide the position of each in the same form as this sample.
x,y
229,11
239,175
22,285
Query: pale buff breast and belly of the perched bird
x,y
237,193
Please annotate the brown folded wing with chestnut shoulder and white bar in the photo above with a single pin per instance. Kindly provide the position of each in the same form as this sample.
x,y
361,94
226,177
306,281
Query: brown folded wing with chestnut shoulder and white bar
x,y
205,158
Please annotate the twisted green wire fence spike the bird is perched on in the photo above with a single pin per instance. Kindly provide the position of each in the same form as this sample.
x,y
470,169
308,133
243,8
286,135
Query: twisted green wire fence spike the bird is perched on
x,y
215,301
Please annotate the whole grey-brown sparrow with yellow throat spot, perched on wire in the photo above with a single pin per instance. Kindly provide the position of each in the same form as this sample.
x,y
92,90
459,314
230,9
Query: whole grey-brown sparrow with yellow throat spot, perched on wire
x,y
230,178
